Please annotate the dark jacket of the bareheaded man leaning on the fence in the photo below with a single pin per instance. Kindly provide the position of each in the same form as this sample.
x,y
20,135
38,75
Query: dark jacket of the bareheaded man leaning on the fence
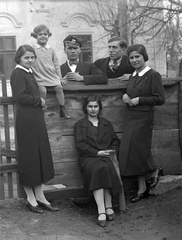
x,y
124,68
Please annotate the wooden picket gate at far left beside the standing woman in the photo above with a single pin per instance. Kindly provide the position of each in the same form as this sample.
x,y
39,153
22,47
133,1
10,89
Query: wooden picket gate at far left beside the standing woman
x,y
9,186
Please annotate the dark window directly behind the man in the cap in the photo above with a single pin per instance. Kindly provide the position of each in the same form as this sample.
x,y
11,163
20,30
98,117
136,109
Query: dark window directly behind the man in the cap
x,y
86,54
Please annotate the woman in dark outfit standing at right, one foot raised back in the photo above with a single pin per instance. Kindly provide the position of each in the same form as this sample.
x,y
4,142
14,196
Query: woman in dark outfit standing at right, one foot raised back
x,y
144,90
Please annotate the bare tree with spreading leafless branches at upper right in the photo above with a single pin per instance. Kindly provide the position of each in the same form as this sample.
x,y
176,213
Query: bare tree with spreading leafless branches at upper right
x,y
146,19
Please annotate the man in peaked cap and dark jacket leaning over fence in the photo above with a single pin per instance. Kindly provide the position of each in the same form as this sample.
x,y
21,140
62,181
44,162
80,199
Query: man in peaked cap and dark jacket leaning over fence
x,y
74,69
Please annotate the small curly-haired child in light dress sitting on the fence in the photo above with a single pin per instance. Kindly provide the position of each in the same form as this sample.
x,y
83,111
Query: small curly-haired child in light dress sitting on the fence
x,y
46,68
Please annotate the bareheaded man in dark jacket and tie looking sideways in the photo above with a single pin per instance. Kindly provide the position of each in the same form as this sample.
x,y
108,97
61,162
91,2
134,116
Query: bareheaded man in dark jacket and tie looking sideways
x,y
117,64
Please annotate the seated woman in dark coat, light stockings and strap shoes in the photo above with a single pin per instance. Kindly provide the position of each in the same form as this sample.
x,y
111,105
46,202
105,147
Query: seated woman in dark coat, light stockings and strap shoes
x,y
95,138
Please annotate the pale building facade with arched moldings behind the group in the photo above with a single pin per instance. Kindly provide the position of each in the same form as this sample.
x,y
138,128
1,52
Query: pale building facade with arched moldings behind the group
x,y
19,17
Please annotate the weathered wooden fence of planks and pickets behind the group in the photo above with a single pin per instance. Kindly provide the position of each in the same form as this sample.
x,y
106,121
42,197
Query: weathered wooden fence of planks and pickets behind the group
x,y
68,182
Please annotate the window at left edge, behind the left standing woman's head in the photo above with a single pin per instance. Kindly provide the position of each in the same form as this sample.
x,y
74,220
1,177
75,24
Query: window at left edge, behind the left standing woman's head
x,y
7,53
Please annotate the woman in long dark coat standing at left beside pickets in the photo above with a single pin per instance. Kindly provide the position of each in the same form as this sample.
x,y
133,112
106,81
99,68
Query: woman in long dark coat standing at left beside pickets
x,y
34,154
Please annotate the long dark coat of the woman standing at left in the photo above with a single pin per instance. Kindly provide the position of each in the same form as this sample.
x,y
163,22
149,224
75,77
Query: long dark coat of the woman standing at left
x,y
34,154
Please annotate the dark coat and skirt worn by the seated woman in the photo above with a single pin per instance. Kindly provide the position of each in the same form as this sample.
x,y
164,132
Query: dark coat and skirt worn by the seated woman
x,y
98,172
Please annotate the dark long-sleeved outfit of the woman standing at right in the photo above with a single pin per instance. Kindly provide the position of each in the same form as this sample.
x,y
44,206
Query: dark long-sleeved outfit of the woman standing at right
x,y
135,157
